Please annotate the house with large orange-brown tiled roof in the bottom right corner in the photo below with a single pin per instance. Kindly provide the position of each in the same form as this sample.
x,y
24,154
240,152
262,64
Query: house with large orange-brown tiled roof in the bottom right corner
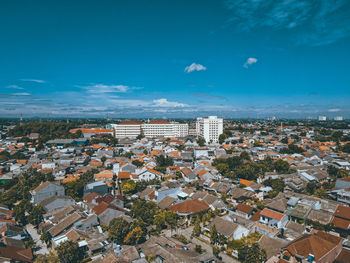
x,y
319,247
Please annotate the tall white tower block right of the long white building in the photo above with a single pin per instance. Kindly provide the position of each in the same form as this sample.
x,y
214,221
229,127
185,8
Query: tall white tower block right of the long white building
x,y
210,128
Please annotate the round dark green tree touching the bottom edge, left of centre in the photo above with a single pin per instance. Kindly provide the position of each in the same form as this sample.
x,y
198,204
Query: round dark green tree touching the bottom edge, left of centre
x,y
69,252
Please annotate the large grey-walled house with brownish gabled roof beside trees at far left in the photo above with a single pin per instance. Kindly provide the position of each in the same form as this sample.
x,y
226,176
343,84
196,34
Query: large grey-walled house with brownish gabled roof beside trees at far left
x,y
45,191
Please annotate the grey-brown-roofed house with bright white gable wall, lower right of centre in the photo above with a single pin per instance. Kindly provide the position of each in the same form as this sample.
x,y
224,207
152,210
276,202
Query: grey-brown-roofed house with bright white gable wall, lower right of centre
x,y
231,230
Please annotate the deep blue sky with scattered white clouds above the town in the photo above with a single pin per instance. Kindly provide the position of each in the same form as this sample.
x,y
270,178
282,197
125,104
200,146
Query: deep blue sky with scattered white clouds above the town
x,y
233,58
